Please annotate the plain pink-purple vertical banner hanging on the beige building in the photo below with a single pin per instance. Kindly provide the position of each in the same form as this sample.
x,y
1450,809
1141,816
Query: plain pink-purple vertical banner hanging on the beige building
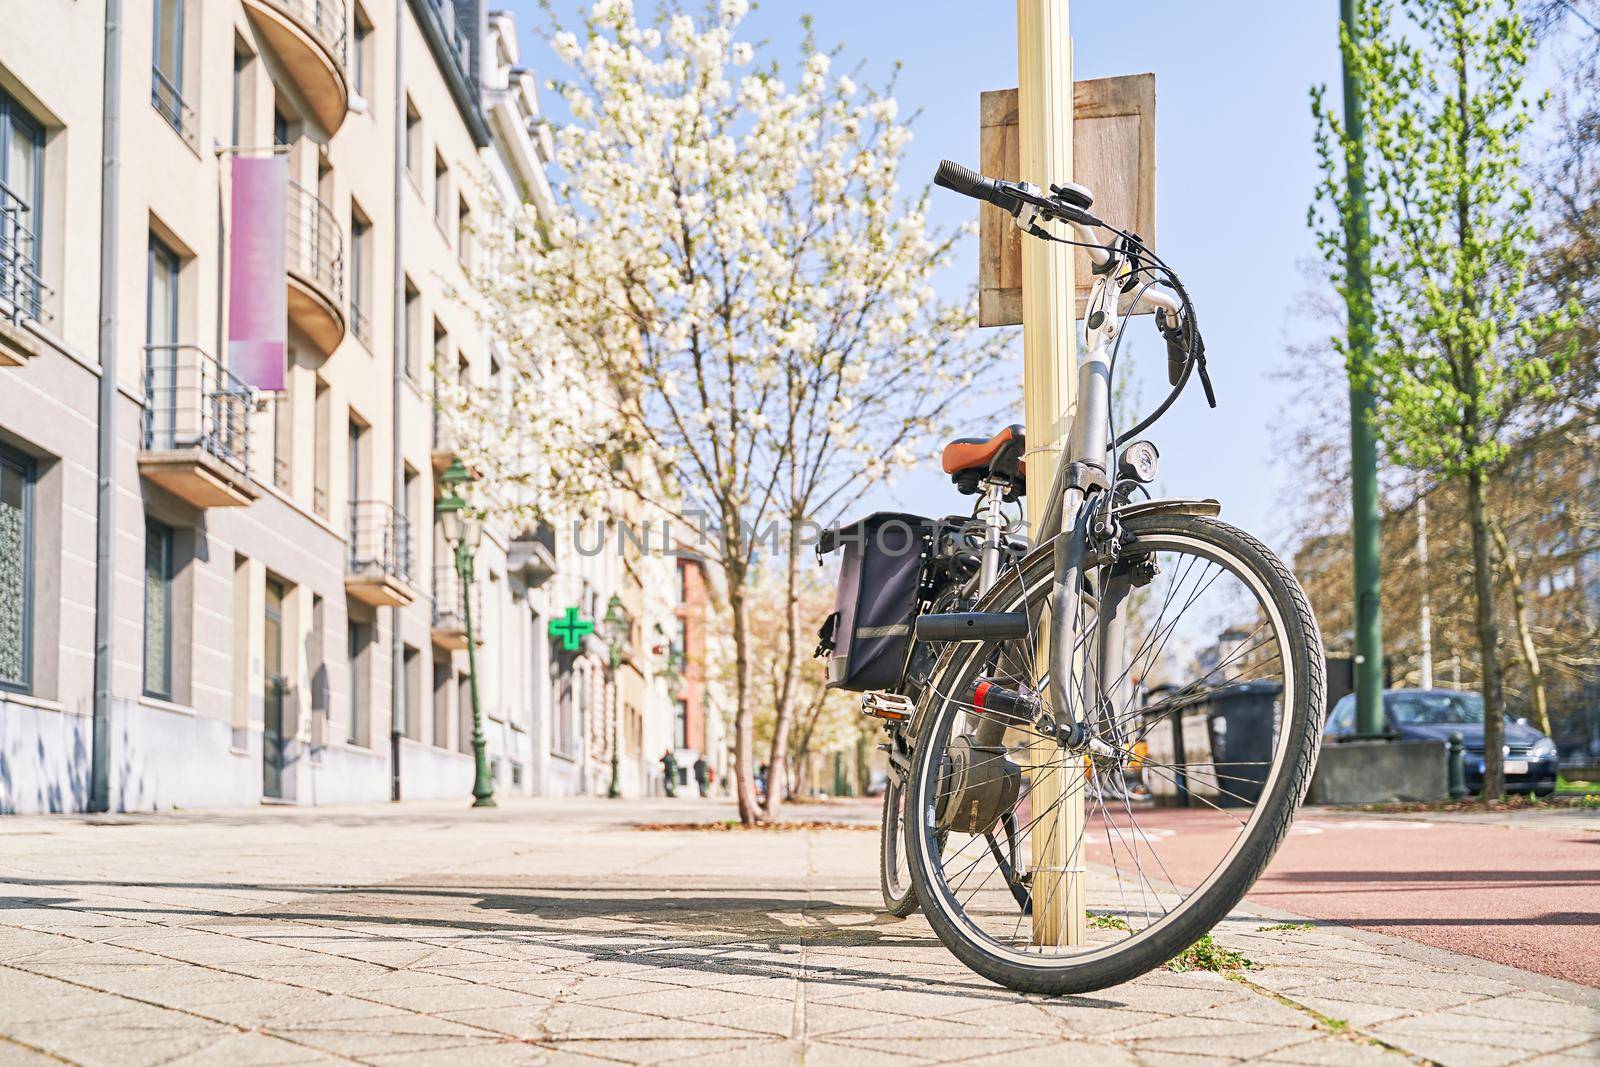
x,y
257,292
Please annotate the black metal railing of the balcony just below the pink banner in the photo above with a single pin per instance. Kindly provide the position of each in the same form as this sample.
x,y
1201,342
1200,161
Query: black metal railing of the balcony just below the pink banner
x,y
194,402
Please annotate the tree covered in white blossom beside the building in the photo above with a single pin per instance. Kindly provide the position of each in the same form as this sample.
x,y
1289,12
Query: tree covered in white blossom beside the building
x,y
735,294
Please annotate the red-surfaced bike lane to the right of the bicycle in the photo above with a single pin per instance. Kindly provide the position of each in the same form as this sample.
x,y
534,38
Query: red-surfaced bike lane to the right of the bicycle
x,y
1526,893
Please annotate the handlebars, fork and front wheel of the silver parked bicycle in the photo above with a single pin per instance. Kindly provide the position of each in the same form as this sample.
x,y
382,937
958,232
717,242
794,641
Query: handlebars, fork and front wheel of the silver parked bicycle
x,y
1092,658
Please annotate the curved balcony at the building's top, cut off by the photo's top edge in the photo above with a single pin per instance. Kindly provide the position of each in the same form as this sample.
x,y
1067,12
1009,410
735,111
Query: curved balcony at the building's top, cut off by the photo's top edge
x,y
313,41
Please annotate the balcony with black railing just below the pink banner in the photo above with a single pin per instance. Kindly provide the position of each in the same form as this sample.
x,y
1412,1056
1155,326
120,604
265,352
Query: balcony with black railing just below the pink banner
x,y
196,434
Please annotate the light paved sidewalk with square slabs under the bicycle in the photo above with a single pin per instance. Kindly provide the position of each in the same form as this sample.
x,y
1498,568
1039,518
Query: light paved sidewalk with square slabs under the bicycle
x,y
551,932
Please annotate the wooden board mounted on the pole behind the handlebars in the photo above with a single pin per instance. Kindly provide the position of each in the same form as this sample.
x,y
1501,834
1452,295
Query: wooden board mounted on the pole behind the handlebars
x,y
1113,156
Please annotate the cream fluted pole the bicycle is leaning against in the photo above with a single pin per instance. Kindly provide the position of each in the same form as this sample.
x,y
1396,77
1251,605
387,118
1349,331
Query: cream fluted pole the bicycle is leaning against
x,y
1049,383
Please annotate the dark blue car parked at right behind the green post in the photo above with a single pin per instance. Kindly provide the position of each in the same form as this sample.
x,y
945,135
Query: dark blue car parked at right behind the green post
x,y
1436,714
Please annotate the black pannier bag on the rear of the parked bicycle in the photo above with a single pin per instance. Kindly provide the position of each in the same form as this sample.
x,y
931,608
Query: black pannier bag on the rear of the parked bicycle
x,y
868,634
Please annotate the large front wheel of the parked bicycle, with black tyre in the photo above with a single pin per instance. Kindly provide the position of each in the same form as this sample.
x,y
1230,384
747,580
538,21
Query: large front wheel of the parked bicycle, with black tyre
x,y
1199,673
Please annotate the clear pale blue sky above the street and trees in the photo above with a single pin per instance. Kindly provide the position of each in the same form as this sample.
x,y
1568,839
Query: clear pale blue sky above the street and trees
x,y
1234,178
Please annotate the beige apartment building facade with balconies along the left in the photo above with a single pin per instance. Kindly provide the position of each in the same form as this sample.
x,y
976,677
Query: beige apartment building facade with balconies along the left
x,y
222,593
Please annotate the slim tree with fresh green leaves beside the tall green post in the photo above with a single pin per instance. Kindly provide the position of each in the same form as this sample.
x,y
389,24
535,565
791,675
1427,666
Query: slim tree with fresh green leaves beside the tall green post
x,y
1457,348
